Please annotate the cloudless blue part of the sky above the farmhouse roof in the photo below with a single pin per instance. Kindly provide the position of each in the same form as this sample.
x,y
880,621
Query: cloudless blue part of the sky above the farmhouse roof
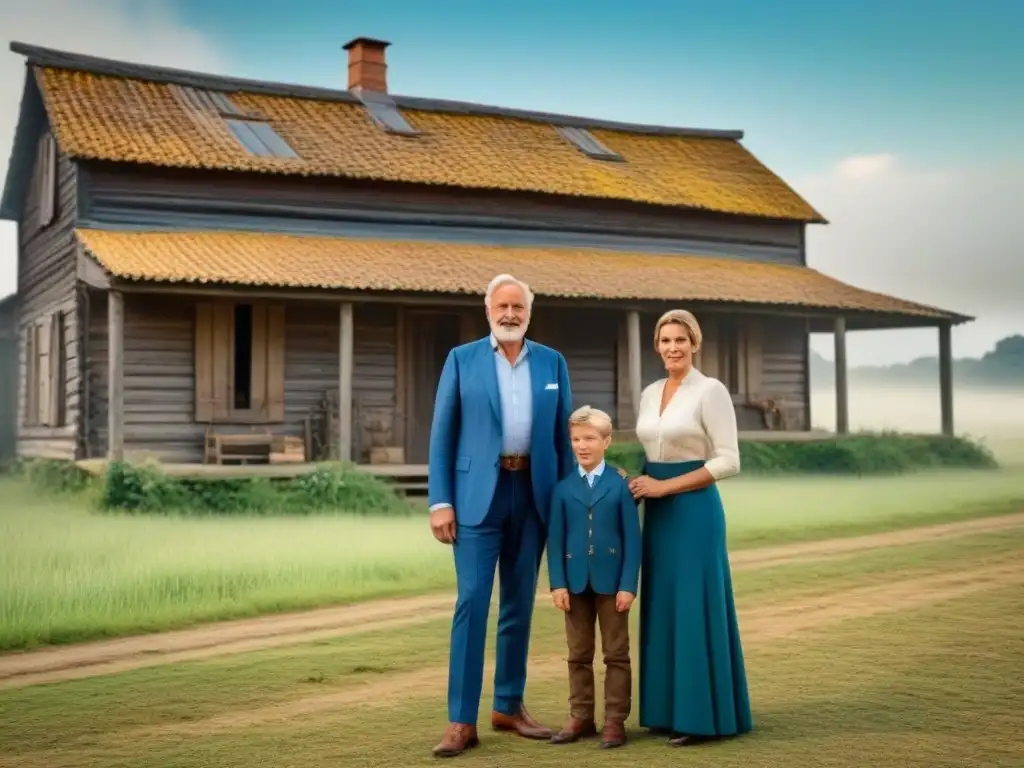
x,y
806,82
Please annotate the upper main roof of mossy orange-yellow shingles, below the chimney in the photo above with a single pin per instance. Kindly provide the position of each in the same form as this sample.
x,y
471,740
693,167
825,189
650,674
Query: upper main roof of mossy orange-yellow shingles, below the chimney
x,y
114,111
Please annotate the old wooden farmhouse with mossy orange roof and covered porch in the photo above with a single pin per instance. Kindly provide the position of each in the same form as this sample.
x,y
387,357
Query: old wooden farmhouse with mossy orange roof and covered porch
x,y
203,257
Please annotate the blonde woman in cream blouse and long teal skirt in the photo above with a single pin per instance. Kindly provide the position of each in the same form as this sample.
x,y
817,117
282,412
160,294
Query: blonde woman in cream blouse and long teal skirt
x,y
693,680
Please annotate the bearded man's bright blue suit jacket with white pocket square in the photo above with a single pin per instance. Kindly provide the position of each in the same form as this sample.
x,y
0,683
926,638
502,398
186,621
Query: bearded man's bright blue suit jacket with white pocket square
x,y
466,435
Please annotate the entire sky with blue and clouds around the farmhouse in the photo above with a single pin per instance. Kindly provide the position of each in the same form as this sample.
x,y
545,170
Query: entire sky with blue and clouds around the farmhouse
x,y
901,121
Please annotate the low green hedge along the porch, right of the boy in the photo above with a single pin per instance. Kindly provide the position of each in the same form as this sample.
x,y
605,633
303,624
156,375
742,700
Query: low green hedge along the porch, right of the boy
x,y
864,454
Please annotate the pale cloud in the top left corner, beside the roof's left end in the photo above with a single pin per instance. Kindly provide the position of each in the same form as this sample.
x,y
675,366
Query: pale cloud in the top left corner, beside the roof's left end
x,y
148,33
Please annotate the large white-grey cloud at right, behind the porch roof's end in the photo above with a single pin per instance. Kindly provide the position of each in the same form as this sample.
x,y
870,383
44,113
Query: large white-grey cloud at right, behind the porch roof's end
x,y
950,238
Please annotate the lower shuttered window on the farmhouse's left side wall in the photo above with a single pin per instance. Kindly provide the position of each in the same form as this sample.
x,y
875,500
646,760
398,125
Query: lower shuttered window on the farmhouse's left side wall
x,y
45,372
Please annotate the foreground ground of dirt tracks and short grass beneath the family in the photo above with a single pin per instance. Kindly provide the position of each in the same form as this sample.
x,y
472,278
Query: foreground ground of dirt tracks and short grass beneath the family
x,y
908,657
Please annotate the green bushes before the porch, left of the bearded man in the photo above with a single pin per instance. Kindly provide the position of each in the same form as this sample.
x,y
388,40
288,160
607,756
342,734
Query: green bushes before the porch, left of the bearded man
x,y
145,489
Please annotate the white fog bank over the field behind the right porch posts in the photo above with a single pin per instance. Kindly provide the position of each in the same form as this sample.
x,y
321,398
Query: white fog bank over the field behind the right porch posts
x,y
995,416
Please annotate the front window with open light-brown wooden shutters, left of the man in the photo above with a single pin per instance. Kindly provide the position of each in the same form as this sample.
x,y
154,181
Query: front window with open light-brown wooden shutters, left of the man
x,y
240,363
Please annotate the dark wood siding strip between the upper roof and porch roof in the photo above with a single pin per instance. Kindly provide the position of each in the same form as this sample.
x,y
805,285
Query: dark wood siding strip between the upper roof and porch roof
x,y
123,196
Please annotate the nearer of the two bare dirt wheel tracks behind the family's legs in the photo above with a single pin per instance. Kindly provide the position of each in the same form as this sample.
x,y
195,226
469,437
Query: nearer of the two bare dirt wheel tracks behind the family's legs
x,y
759,626
